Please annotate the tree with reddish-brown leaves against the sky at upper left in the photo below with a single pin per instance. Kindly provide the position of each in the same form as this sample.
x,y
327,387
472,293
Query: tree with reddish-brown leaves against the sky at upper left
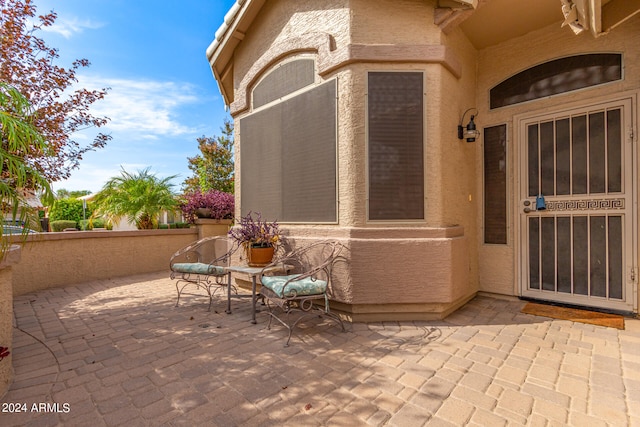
x,y
27,64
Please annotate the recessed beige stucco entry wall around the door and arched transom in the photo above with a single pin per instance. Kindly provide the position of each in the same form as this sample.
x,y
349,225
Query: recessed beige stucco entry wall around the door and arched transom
x,y
498,263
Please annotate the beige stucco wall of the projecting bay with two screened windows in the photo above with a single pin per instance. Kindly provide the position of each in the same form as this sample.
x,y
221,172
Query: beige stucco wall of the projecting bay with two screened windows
x,y
348,38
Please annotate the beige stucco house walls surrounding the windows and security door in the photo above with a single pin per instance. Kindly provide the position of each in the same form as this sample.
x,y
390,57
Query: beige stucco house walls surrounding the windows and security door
x,y
424,268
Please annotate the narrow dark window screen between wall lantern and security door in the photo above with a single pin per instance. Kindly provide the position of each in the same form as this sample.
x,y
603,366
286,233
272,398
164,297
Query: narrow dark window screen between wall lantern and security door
x,y
495,184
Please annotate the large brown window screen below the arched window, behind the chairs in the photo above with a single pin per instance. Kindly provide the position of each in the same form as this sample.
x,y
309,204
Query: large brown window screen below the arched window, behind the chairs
x,y
288,158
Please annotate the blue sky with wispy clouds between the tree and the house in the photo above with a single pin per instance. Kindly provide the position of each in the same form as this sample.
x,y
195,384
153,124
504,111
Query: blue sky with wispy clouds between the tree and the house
x,y
163,95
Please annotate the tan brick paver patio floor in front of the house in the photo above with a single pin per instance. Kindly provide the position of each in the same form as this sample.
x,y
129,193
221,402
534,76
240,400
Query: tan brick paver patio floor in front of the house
x,y
118,352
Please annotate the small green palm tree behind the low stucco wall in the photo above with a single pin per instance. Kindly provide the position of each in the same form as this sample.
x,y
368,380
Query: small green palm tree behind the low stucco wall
x,y
139,197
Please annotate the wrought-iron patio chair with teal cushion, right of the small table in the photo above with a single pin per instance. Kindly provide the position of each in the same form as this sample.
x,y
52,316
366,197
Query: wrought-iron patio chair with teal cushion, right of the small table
x,y
305,290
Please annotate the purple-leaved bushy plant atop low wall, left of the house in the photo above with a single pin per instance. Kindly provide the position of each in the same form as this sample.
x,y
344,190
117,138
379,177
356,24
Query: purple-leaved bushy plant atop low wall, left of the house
x,y
210,204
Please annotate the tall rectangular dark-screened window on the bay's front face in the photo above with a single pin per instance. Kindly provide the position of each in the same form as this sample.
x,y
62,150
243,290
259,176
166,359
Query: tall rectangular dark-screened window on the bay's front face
x,y
396,145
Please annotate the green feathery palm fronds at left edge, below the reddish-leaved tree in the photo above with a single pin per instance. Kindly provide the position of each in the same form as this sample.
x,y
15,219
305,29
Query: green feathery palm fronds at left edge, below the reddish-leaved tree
x,y
19,179
